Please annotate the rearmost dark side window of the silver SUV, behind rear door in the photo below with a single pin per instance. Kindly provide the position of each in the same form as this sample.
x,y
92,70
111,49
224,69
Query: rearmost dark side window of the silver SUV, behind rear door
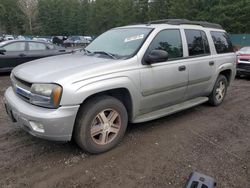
x,y
222,42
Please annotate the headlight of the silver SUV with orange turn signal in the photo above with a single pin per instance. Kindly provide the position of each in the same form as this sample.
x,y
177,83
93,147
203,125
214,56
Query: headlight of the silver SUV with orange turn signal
x,y
46,95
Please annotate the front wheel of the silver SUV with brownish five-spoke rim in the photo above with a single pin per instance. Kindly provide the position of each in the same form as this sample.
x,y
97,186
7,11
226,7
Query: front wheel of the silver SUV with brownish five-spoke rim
x,y
100,124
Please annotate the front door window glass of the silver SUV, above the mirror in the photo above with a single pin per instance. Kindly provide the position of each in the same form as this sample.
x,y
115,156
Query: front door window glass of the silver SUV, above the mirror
x,y
169,41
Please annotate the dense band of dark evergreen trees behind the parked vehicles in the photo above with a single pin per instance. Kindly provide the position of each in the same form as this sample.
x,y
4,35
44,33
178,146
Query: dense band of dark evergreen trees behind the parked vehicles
x,y
92,17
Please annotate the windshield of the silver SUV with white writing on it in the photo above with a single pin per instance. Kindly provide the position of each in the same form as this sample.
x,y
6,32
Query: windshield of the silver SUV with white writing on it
x,y
121,43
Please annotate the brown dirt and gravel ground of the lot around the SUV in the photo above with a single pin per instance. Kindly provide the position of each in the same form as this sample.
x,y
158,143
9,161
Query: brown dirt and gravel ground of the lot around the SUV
x,y
161,153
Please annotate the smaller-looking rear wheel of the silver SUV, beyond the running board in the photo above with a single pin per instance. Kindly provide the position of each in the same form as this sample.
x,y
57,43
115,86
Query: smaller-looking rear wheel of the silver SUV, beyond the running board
x,y
219,91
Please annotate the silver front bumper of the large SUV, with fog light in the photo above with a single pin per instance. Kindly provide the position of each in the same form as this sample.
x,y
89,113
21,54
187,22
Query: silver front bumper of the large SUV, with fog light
x,y
57,124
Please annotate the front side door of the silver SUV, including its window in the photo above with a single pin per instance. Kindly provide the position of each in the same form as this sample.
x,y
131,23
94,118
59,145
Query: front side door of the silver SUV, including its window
x,y
164,84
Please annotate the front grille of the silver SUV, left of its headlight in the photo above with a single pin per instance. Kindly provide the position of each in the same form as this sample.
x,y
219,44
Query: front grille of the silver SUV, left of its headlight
x,y
21,88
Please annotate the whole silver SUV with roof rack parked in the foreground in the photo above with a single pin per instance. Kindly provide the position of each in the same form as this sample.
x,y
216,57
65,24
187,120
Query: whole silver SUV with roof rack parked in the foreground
x,y
132,74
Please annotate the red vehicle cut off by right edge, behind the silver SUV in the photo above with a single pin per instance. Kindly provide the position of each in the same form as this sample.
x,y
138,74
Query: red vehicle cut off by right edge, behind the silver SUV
x,y
243,64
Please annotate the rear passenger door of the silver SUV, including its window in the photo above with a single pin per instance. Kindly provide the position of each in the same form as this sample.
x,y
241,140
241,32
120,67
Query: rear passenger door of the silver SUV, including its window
x,y
200,64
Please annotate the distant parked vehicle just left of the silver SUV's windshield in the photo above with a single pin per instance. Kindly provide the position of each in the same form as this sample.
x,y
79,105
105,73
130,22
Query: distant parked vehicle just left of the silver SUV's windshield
x,y
73,41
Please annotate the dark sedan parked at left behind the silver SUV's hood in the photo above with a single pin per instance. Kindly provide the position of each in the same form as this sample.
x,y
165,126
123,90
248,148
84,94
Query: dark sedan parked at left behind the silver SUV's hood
x,y
13,53
